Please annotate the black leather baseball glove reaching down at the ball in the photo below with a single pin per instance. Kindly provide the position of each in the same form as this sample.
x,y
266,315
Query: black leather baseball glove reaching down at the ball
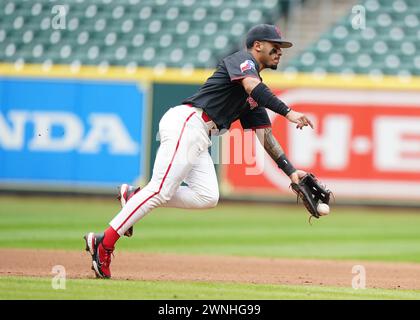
x,y
311,192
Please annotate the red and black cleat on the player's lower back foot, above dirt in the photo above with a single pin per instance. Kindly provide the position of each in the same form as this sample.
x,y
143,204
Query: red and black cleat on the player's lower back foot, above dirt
x,y
101,256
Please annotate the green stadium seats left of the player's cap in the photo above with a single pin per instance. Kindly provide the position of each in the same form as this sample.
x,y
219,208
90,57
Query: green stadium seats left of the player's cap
x,y
174,33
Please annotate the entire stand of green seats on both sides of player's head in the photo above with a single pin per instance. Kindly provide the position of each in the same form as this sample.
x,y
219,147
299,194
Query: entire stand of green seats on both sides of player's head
x,y
197,33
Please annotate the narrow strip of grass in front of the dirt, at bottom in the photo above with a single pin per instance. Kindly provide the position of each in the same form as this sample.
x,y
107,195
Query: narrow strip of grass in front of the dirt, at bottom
x,y
38,288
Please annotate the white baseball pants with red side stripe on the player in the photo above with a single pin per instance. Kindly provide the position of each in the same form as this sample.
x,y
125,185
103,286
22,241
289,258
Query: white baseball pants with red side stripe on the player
x,y
182,157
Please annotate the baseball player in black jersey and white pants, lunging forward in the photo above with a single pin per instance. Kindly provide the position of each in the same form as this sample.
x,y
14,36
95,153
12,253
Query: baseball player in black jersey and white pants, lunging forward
x,y
234,91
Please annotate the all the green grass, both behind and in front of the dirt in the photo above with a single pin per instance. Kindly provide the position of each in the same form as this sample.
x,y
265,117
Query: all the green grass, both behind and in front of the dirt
x,y
241,230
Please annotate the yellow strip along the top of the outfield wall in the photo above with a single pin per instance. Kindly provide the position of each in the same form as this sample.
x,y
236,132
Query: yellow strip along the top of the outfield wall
x,y
198,76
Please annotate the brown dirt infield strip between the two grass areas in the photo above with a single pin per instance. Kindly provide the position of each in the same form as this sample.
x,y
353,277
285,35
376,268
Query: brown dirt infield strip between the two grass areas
x,y
150,266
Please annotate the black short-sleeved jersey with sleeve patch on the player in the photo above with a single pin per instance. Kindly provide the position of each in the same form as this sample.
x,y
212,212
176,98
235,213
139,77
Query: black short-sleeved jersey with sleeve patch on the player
x,y
223,97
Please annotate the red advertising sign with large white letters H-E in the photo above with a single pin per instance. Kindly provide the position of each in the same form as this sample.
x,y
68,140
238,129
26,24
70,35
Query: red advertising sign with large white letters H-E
x,y
365,144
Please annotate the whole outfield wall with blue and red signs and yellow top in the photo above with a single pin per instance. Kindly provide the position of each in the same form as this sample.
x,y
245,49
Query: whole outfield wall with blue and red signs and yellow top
x,y
90,129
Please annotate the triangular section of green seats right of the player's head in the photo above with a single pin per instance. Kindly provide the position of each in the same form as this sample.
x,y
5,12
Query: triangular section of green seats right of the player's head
x,y
388,45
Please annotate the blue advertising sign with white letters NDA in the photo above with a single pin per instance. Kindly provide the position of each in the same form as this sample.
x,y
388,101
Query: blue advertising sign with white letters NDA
x,y
71,132
